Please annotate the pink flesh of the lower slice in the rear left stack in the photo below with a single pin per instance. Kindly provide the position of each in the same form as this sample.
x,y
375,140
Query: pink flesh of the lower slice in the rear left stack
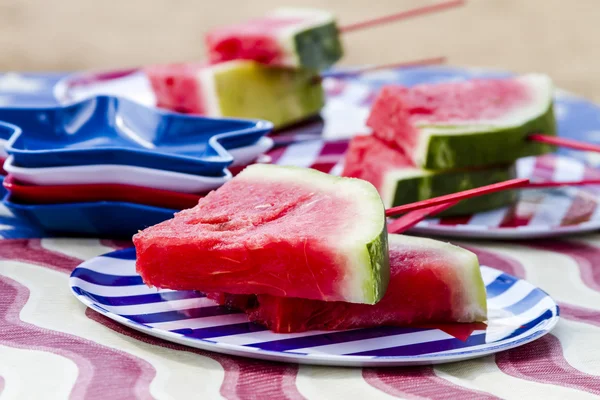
x,y
176,87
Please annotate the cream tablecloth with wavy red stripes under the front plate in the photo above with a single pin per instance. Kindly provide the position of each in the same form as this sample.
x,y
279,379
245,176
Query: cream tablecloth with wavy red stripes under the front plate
x,y
51,346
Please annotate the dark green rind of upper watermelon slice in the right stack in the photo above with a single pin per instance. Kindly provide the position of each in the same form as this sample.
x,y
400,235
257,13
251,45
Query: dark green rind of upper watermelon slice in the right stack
x,y
487,146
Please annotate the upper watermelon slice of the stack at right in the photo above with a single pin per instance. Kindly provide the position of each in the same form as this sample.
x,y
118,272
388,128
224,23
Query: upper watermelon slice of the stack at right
x,y
466,124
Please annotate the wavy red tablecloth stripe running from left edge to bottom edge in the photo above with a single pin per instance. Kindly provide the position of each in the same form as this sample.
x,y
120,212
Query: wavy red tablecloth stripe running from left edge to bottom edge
x,y
127,376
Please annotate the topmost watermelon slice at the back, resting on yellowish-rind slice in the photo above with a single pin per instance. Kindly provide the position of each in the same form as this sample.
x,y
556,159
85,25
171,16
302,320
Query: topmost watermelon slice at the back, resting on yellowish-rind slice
x,y
286,37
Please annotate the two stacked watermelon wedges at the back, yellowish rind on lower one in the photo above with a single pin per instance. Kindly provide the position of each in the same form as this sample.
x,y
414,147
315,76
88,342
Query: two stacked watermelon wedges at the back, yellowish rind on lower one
x,y
267,68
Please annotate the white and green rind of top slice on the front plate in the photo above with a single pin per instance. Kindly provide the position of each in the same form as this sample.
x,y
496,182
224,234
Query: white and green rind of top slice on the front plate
x,y
372,254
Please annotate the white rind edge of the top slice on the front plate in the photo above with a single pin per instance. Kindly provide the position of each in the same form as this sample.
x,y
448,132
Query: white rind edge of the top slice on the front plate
x,y
353,244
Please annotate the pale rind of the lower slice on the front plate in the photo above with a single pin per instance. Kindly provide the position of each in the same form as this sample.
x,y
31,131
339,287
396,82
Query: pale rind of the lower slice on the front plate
x,y
474,295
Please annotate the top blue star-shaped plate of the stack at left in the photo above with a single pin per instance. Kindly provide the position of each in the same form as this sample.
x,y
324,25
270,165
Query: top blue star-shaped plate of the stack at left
x,y
112,130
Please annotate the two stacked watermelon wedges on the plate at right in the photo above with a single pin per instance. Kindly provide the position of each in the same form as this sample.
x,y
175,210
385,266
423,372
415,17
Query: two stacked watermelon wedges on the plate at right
x,y
435,139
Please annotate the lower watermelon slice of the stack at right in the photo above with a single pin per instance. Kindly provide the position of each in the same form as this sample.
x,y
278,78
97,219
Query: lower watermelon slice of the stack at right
x,y
400,182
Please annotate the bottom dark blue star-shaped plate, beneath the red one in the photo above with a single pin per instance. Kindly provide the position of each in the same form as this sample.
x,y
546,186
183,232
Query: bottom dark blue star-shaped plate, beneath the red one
x,y
99,219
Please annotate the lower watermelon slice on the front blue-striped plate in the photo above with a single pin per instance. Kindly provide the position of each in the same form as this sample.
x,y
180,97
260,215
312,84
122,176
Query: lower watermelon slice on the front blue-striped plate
x,y
430,282
